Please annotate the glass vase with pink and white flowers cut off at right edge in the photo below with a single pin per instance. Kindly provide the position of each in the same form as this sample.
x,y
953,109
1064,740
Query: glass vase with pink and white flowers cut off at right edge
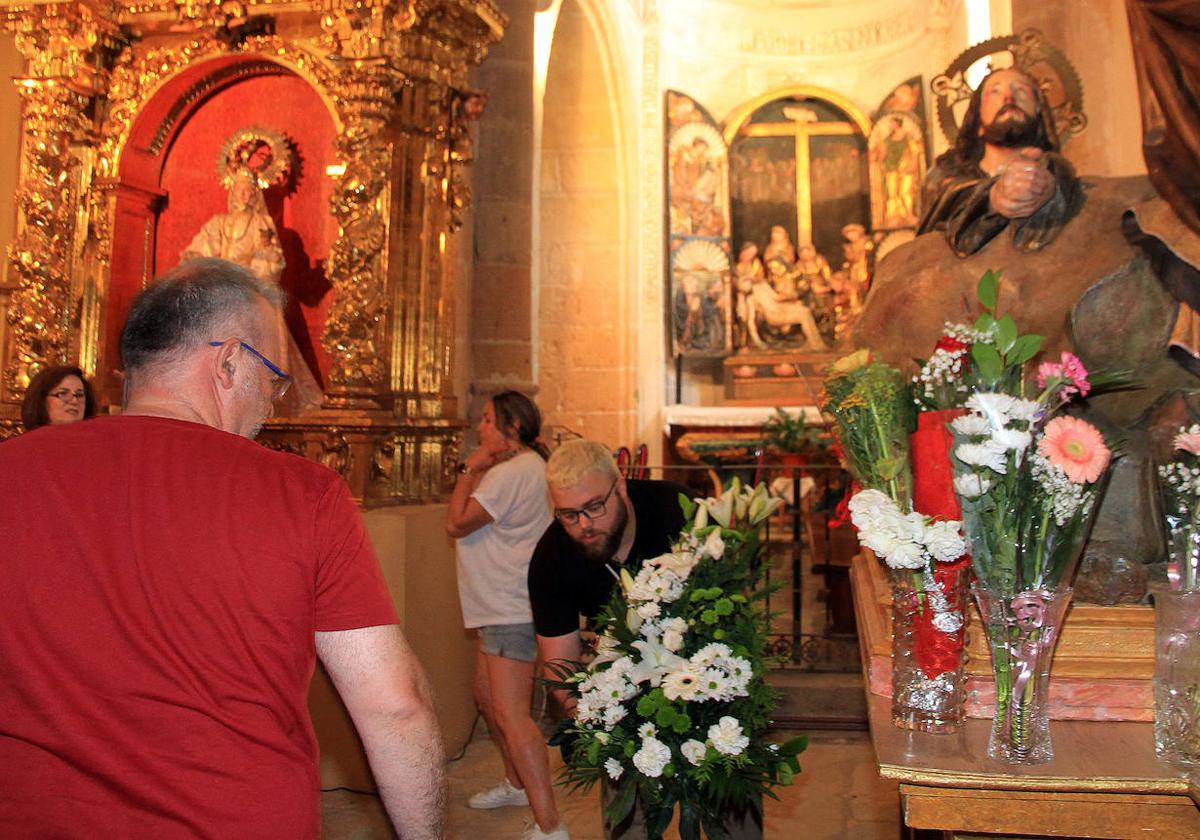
x,y
1178,608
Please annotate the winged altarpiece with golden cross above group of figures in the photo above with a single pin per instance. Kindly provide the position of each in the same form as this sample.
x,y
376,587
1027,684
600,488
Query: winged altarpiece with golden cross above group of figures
x,y
814,189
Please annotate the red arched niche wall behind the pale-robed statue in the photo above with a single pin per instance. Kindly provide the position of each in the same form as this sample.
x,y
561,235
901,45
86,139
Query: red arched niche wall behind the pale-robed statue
x,y
190,193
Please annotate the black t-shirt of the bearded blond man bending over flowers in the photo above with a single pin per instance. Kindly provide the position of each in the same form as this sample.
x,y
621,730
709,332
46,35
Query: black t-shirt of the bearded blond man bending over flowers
x,y
566,585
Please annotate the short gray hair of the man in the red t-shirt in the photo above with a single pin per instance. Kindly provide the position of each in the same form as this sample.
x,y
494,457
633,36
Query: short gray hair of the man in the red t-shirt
x,y
185,308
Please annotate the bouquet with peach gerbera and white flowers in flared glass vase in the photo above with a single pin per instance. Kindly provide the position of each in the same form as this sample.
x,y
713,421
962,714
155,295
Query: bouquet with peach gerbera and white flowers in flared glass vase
x,y
1028,481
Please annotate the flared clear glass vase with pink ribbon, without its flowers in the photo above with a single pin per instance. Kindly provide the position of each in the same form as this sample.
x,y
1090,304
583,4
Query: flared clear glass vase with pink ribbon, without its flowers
x,y
1023,632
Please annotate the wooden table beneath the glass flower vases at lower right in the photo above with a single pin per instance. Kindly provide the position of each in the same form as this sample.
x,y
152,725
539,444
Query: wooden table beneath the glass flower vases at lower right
x,y
1105,782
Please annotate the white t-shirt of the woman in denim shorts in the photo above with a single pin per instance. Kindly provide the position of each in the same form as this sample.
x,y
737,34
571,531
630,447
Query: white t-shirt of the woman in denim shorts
x,y
494,562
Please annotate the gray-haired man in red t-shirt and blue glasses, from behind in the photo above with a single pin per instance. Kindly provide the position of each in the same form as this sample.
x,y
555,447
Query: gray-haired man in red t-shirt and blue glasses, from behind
x,y
166,587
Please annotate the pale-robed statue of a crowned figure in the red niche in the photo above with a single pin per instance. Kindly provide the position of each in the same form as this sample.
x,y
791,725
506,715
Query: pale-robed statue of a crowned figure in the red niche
x,y
247,236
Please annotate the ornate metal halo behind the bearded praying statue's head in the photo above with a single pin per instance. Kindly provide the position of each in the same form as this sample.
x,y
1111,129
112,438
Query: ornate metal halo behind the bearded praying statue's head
x,y
1034,56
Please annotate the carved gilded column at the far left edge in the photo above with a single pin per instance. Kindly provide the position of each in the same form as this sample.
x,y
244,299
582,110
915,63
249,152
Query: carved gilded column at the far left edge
x,y
64,46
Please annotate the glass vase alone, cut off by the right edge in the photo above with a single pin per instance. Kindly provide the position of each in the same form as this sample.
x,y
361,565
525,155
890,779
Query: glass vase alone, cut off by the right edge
x,y
1178,676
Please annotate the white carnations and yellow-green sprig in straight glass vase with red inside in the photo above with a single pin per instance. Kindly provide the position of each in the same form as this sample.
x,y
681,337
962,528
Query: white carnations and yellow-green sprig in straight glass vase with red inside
x,y
873,407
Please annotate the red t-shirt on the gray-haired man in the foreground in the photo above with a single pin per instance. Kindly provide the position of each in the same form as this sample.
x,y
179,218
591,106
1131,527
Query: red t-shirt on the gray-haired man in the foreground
x,y
160,586
